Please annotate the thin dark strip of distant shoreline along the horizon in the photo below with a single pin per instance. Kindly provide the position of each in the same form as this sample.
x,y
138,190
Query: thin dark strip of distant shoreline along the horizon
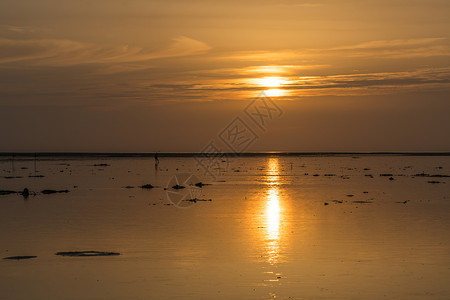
x,y
198,154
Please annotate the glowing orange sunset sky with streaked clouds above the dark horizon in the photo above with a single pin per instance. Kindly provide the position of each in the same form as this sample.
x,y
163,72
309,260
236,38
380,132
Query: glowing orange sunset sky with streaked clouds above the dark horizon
x,y
169,76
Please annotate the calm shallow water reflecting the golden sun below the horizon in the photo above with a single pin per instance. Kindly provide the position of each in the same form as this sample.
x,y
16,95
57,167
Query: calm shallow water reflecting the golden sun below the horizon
x,y
271,230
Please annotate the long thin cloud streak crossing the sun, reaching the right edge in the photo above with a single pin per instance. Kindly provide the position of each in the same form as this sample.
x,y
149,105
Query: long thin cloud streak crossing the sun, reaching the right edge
x,y
338,84
